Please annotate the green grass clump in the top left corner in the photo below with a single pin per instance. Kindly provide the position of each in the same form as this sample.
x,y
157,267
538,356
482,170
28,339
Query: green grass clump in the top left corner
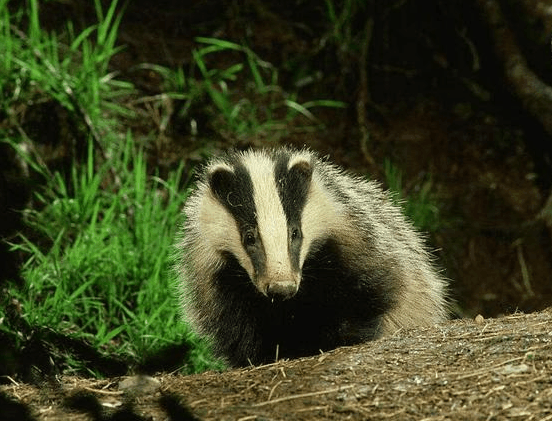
x,y
71,69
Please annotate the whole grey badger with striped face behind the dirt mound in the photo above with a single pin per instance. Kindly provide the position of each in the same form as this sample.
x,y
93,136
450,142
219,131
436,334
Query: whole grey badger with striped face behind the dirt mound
x,y
284,254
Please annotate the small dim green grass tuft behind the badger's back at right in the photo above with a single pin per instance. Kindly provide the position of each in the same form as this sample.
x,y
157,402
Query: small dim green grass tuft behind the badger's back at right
x,y
420,205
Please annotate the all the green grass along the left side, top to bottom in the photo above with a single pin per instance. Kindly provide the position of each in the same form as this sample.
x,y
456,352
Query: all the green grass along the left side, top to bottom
x,y
97,262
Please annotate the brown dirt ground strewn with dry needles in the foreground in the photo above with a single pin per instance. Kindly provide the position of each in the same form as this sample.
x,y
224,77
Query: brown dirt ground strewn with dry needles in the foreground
x,y
481,369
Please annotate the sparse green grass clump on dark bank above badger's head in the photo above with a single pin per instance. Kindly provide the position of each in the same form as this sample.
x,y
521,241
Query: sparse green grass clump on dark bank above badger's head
x,y
245,94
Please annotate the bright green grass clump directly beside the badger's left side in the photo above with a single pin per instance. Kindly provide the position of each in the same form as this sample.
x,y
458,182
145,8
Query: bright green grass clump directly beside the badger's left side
x,y
104,275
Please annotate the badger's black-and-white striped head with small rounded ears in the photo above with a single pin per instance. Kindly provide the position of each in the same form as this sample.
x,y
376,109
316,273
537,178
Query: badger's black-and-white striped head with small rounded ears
x,y
253,212
